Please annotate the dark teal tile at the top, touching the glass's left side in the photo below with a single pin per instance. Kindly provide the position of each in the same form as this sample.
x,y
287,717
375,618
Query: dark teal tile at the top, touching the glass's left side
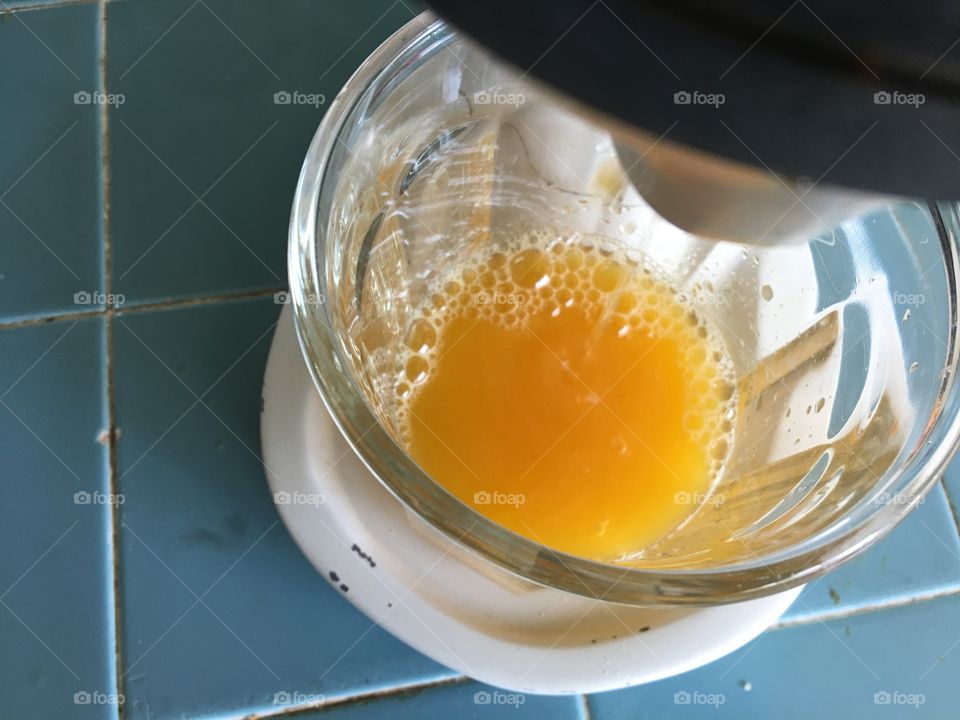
x,y
204,162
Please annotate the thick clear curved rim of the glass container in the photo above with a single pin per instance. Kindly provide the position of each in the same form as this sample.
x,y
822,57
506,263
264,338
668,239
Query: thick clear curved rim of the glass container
x,y
347,404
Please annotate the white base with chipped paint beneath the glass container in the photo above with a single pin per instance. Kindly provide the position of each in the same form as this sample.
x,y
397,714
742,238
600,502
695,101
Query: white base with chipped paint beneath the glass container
x,y
440,600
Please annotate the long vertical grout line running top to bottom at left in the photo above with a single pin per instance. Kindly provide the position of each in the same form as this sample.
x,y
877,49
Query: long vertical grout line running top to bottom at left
x,y
107,257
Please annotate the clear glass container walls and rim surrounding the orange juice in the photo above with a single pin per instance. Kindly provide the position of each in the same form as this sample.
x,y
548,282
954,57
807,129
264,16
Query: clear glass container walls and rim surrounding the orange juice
x,y
844,345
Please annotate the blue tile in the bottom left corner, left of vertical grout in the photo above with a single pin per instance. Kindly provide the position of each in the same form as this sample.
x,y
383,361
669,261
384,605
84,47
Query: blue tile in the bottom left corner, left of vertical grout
x,y
56,605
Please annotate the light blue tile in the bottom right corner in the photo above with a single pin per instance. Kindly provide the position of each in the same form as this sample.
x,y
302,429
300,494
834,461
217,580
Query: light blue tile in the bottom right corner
x,y
897,663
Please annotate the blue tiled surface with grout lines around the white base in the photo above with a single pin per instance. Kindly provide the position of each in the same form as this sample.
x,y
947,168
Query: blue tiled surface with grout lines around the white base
x,y
143,554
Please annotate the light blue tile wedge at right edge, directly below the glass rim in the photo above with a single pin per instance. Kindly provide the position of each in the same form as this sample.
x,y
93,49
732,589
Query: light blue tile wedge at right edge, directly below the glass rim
x,y
919,557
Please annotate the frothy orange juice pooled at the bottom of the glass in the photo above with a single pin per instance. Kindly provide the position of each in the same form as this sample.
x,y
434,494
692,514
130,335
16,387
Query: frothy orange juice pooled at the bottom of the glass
x,y
568,394
